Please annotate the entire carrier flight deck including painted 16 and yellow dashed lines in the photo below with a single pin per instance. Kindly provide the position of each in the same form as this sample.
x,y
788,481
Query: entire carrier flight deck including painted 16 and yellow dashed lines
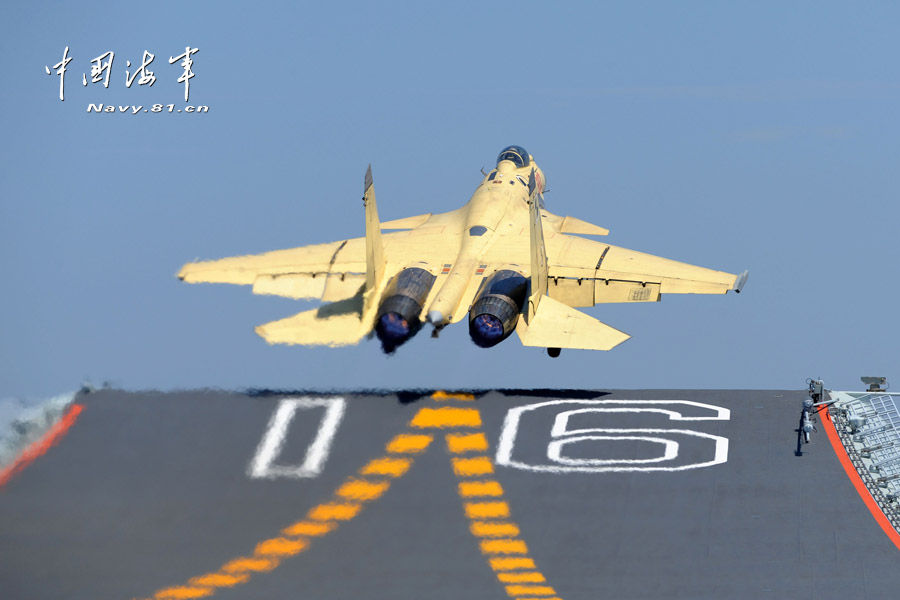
x,y
520,494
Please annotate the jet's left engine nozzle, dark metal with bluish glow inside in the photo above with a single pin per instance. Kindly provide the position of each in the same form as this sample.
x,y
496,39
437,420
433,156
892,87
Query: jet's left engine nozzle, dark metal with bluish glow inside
x,y
398,315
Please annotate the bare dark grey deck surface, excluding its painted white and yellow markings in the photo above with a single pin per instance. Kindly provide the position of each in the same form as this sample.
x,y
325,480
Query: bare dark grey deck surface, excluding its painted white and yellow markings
x,y
149,489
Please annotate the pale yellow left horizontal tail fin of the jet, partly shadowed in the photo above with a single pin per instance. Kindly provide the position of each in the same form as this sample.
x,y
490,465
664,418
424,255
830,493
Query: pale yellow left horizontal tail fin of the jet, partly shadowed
x,y
334,324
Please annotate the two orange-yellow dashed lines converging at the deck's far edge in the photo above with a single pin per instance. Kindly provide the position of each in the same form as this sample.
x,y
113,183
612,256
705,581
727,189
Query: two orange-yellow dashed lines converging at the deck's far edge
x,y
482,502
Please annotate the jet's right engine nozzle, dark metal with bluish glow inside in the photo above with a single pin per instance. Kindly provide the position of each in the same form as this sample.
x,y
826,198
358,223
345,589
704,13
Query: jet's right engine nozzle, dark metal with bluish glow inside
x,y
495,313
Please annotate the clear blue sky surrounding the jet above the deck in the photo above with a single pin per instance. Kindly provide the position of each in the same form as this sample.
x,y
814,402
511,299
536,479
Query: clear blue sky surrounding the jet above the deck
x,y
760,136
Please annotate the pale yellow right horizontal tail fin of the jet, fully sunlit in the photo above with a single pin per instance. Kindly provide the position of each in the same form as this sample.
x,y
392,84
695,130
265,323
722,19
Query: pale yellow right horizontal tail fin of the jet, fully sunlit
x,y
556,325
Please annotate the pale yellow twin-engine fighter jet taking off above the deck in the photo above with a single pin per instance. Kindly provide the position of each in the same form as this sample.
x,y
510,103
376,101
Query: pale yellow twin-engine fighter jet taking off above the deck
x,y
502,260
